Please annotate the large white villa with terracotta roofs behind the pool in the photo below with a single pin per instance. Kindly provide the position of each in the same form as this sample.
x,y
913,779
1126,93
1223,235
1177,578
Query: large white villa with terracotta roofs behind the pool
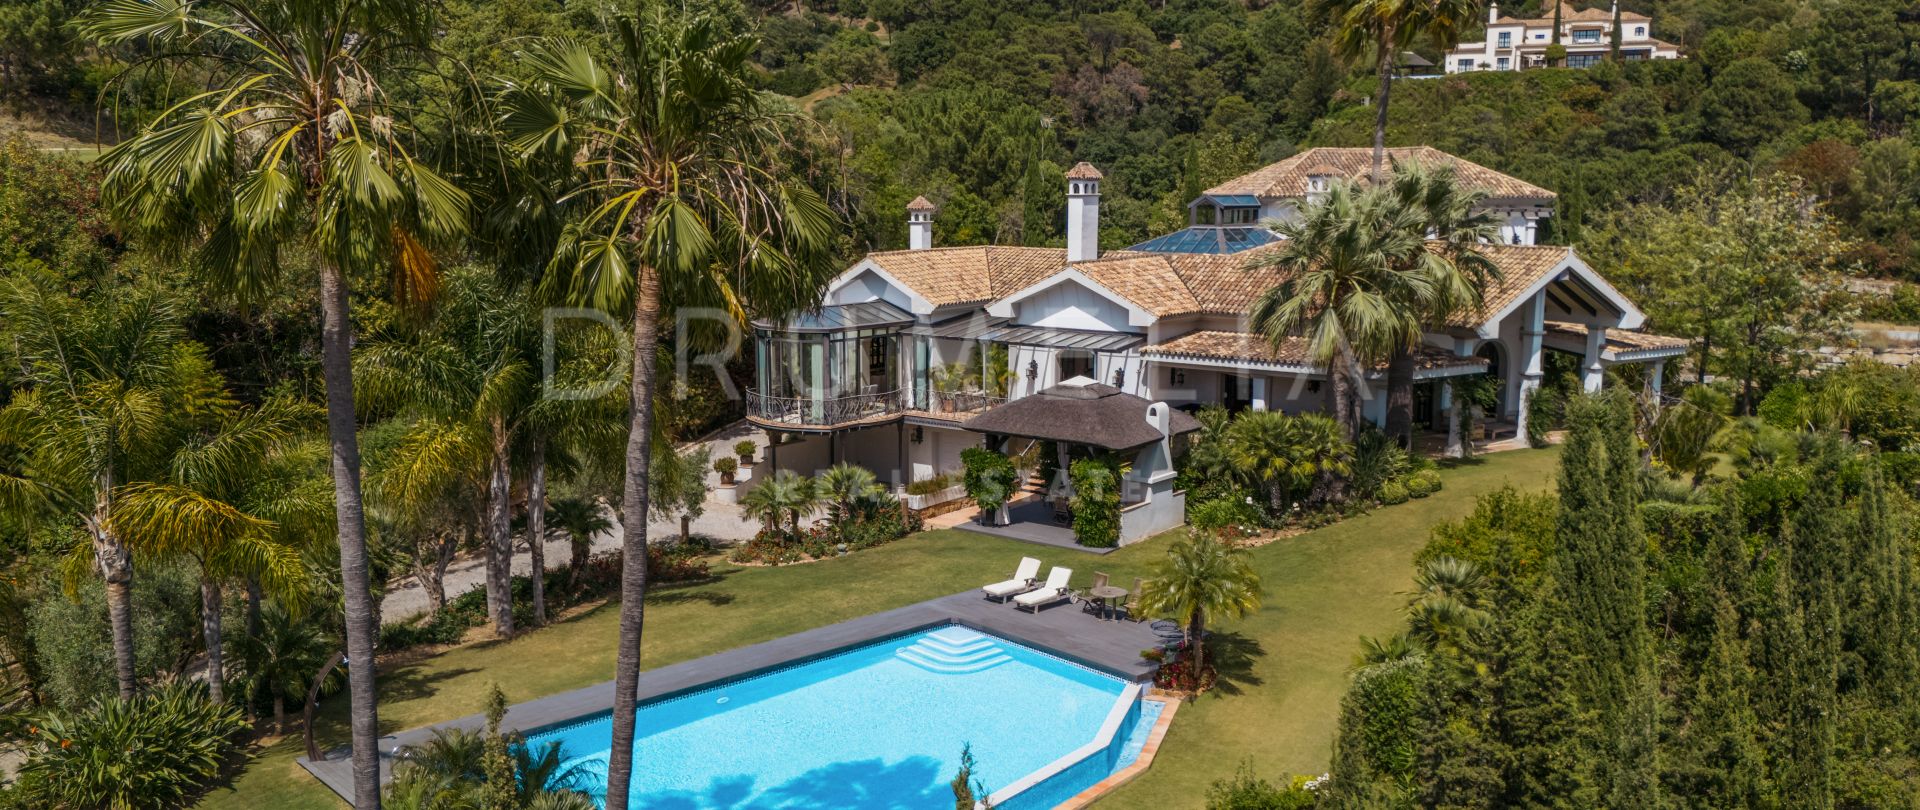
x,y
909,346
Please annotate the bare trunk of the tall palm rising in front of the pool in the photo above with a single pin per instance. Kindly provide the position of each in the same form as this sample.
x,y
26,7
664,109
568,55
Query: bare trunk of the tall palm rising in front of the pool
x,y
635,535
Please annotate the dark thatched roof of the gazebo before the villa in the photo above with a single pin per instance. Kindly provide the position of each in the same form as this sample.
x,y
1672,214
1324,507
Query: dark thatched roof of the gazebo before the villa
x,y
1086,414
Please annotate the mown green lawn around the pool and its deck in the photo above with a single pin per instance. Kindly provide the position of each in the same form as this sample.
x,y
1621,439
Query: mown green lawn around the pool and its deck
x,y
1280,709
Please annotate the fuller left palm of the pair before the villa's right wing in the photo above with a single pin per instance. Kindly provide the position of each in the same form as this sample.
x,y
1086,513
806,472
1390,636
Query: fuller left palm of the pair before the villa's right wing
x,y
1345,268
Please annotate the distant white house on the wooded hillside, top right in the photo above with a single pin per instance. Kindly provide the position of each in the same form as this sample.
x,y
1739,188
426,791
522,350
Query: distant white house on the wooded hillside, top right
x,y
1516,45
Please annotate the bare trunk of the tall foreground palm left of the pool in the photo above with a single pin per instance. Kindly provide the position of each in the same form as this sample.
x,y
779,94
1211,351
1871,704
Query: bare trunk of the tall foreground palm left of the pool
x,y
337,368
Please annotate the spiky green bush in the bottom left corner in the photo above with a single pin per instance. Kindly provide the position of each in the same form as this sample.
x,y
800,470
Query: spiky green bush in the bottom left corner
x,y
155,751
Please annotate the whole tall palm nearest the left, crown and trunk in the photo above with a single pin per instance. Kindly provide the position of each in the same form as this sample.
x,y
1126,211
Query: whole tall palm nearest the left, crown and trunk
x,y
293,143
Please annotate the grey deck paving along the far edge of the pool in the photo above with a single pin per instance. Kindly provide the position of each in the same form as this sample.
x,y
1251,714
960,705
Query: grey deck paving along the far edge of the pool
x,y
1065,631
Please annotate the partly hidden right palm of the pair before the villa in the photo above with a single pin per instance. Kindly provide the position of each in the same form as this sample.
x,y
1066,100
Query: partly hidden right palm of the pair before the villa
x,y
1456,227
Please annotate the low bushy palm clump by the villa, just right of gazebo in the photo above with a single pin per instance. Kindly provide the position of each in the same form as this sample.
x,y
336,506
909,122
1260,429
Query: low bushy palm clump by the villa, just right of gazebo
x,y
1287,454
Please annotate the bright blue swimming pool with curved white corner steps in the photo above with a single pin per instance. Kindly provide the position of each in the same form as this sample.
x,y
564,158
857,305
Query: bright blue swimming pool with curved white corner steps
x,y
878,727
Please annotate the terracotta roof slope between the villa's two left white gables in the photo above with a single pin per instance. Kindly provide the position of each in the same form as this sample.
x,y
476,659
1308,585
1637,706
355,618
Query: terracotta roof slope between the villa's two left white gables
x,y
972,274
